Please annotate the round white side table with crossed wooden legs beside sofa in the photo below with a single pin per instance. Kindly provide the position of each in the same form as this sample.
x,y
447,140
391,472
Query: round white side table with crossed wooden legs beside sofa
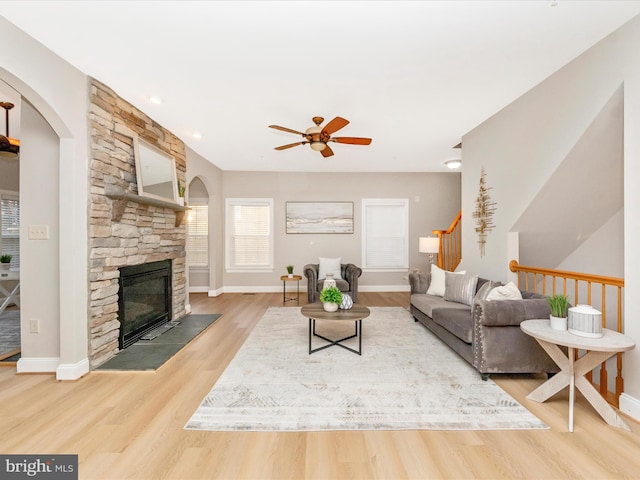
x,y
572,371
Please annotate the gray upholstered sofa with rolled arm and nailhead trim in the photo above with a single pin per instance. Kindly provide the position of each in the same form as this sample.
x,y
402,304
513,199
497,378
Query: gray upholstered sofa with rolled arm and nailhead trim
x,y
486,334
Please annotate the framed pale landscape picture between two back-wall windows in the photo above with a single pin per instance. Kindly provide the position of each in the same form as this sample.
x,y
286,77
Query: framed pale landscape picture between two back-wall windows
x,y
319,217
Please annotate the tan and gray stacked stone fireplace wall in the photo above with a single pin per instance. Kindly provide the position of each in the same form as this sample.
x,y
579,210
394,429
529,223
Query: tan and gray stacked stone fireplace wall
x,y
144,233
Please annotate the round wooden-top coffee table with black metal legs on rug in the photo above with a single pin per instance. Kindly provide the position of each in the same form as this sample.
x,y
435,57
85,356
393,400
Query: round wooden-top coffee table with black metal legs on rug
x,y
315,311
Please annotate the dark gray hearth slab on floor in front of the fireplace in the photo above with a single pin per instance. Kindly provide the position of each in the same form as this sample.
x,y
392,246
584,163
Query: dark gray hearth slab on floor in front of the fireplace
x,y
152,354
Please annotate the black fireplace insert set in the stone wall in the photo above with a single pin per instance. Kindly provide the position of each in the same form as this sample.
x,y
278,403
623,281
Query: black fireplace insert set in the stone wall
x,y
144,299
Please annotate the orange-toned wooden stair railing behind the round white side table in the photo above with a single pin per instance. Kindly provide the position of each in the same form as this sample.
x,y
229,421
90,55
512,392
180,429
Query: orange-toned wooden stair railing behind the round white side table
x,y
608,301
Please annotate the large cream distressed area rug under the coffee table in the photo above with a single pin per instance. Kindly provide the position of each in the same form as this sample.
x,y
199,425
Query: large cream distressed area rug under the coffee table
x,y
406,379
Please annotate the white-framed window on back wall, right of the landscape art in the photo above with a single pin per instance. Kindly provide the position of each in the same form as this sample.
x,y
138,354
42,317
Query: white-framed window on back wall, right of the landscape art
x,y
385,238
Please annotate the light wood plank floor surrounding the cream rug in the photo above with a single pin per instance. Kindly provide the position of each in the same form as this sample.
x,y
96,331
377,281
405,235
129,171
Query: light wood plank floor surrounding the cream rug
x,y
129,425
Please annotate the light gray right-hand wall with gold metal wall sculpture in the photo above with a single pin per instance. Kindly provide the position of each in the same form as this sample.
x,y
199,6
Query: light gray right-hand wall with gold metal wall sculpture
x,y
522,146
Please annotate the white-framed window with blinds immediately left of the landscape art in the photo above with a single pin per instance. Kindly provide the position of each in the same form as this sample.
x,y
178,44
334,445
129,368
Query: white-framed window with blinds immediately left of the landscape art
x,y
249,234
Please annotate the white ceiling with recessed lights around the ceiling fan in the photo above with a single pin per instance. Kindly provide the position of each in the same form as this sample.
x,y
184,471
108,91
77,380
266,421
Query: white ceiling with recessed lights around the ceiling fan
x,y
415,76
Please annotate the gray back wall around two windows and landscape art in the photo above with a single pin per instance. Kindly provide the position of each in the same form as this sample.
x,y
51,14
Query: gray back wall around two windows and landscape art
x,y
434,200
